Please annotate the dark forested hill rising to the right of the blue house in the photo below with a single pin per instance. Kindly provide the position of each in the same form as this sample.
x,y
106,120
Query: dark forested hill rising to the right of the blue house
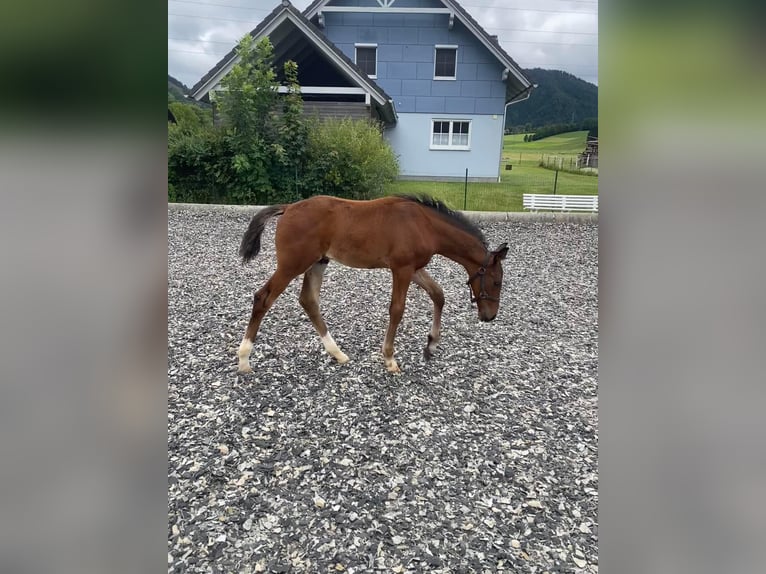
x,y
560,98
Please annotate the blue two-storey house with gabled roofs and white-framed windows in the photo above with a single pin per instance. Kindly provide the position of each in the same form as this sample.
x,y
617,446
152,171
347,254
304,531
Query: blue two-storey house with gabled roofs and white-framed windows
x,y
437,82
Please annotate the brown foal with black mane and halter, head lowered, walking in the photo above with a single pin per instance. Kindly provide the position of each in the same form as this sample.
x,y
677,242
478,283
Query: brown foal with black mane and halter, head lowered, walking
x,y
400,233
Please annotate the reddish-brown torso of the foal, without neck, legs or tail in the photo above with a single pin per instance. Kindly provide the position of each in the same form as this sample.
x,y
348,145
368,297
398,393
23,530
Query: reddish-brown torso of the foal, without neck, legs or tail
x,y
386,232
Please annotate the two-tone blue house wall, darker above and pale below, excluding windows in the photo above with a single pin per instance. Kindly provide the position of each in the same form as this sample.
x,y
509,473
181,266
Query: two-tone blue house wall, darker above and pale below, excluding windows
x,y
405,70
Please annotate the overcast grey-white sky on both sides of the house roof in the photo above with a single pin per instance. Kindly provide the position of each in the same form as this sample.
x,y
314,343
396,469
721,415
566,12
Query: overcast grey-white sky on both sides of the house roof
x,y
552,34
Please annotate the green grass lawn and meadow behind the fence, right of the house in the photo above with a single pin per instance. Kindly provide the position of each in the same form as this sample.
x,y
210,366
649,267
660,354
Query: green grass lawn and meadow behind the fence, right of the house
x,y
524,177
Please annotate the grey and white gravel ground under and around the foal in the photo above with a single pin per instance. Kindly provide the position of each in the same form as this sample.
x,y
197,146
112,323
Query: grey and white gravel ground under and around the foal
x,y
482,460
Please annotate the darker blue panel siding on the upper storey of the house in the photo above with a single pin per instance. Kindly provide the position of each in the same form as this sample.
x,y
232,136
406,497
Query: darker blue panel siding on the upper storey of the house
x,y
406,45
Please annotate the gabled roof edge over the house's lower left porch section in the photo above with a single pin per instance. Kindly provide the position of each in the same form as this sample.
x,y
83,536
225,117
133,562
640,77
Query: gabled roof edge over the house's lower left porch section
x,y
286,11
